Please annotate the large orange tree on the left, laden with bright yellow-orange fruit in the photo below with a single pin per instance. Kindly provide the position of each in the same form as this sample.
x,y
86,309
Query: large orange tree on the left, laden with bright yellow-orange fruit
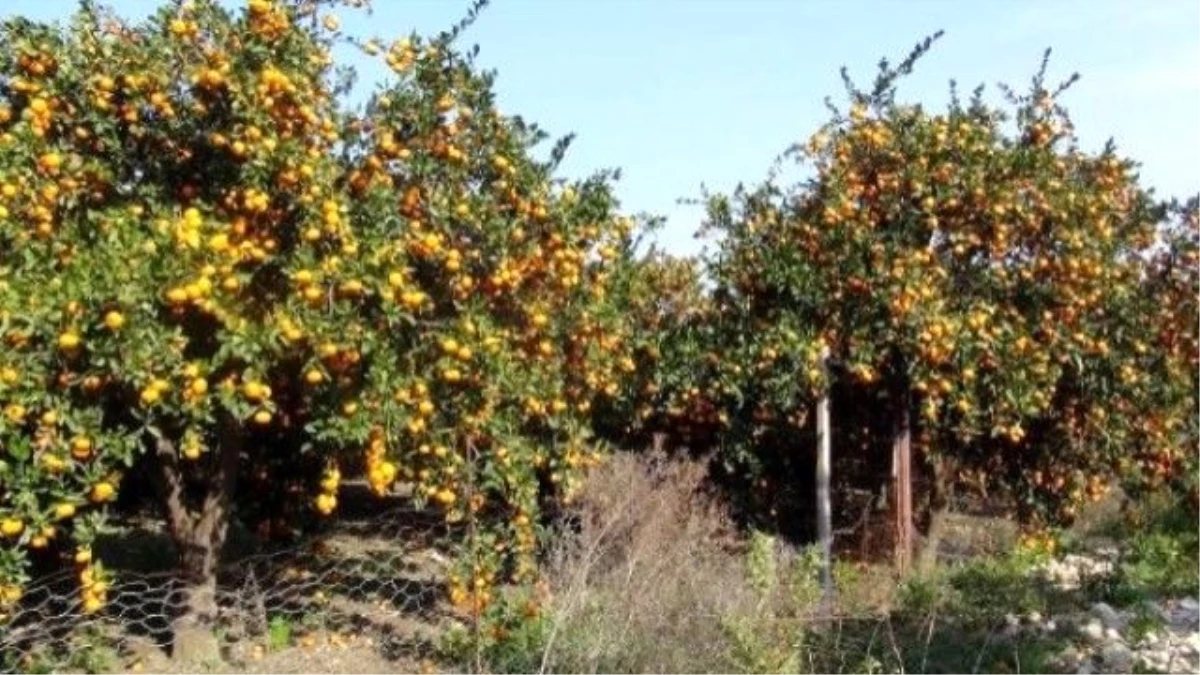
x,y
214,266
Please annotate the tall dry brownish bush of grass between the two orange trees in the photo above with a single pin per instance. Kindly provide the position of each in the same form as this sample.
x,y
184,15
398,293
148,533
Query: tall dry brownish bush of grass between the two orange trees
x,y
656,580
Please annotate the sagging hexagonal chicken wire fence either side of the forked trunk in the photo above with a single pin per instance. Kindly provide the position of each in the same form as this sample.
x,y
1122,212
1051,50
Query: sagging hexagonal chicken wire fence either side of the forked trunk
x,y
377,583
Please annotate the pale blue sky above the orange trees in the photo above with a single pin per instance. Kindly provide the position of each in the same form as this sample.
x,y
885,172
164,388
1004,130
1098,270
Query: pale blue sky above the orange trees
x,y
683,93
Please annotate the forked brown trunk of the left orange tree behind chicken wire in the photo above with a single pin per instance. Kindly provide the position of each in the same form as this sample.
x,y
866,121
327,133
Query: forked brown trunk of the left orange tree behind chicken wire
x,y
199,528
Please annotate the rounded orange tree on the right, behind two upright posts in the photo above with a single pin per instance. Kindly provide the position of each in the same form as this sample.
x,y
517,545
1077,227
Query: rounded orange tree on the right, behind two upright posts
x,y
974,270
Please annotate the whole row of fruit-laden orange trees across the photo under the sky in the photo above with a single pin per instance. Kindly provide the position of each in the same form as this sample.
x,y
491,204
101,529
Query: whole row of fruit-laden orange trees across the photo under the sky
x,y
221,278
